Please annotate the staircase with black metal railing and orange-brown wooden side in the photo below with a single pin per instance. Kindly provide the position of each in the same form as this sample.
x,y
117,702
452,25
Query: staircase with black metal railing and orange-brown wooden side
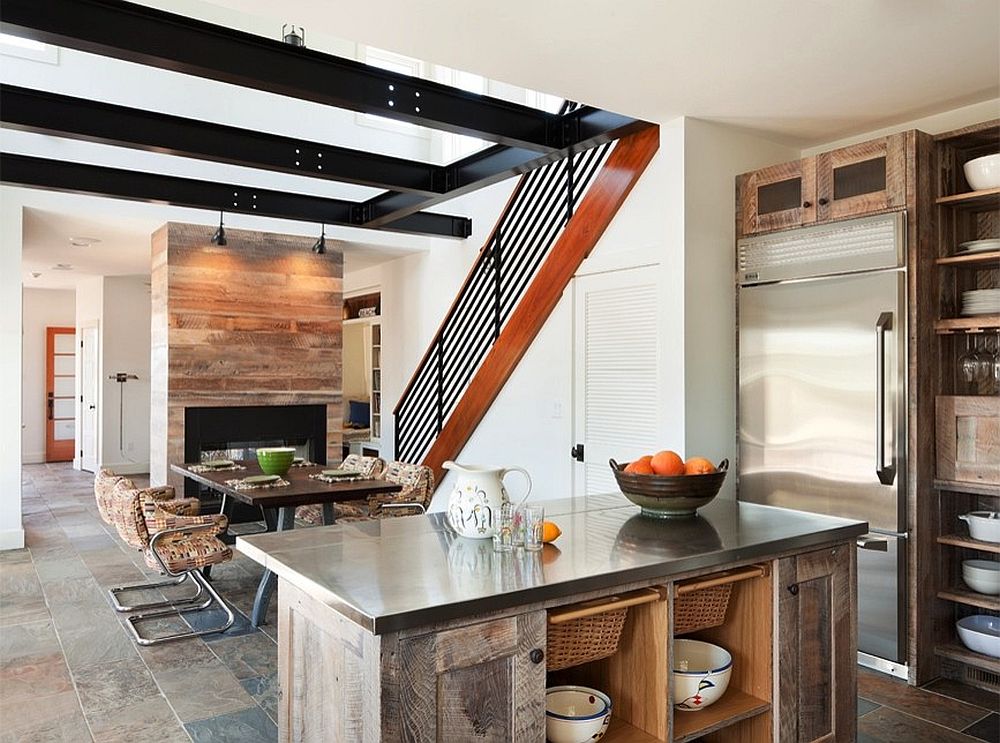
x,y
553,219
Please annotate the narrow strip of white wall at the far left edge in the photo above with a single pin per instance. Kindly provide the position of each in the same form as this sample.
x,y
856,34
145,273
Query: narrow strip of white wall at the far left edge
x,y
11,531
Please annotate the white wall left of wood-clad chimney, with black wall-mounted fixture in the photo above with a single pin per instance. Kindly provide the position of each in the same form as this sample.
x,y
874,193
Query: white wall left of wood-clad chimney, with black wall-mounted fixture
x,y
120,308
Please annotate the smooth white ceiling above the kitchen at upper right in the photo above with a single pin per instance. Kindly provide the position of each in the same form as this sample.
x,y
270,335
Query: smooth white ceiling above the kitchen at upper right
x,y
806,72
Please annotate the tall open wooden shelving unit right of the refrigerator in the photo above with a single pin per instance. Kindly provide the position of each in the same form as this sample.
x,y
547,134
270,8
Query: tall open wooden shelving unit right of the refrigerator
x,y
962,214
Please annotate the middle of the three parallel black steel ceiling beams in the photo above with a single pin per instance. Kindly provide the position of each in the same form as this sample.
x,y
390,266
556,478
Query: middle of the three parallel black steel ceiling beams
x,y
93,121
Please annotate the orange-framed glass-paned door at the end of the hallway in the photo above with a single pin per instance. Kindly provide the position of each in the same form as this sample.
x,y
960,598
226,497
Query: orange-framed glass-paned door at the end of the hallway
x,y
60,391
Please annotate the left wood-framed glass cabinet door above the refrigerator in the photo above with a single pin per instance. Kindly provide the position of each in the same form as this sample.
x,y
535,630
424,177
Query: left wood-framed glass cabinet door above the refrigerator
x,y
778,197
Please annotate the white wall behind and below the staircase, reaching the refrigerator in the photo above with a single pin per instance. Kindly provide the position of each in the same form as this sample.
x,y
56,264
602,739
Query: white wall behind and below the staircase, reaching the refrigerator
x,y
679,220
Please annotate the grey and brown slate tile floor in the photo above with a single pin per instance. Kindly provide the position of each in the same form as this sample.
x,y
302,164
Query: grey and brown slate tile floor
x,y
70,672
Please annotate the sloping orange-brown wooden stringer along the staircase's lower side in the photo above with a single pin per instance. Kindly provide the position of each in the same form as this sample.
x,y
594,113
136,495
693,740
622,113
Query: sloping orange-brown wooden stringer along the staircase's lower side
x,y
594,213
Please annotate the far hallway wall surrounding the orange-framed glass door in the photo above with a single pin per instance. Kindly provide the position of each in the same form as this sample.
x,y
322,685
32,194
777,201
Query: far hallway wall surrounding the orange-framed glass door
x,y
41,309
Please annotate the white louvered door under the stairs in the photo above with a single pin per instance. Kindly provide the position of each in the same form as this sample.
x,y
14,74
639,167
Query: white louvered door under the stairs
x,y
617,372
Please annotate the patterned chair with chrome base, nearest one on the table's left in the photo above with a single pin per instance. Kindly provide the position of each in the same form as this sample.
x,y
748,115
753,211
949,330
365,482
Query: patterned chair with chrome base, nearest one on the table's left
x,y
182,550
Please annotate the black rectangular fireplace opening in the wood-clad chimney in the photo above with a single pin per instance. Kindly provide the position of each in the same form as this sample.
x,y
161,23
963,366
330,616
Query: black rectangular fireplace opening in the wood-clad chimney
x,y
236,432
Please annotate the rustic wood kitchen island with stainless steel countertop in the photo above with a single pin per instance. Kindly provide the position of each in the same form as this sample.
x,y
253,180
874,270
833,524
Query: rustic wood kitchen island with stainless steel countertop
x,y
399,630
